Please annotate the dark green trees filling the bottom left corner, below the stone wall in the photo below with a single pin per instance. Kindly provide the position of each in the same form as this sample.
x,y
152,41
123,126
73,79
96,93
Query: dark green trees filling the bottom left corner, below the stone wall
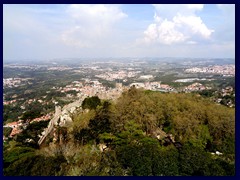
x,y
23,161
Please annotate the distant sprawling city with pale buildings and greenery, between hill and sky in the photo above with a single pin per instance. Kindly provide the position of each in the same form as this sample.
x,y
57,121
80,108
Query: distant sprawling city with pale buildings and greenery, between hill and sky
x,y
108,80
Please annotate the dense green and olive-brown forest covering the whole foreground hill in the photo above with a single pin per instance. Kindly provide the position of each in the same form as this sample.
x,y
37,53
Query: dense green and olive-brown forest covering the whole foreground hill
x,y
142,133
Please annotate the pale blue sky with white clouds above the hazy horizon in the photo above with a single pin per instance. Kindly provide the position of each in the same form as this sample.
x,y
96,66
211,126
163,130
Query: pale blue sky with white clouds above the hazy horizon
x,y
50,31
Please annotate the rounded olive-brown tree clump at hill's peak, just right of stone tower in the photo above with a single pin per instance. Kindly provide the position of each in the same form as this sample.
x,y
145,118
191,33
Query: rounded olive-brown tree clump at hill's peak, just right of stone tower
x,y
135,105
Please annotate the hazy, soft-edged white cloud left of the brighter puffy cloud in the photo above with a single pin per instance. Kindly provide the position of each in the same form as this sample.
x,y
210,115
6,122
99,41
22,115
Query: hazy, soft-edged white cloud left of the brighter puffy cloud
x,y
90,23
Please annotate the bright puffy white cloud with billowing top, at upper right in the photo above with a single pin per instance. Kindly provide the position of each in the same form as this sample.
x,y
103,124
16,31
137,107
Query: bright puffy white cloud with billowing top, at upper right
x,y
177,24
